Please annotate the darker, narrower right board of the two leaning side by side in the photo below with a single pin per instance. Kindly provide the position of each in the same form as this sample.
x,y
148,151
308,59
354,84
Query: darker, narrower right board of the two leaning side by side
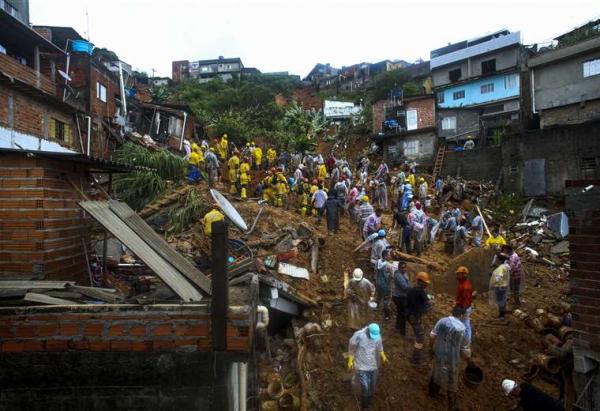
x,y
158,244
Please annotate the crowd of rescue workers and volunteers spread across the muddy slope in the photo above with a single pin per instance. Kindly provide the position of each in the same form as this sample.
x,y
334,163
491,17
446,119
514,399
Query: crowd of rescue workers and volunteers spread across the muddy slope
x,y
331,187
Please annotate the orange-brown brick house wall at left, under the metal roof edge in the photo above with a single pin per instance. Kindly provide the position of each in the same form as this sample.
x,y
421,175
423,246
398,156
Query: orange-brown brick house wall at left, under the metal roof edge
x,y
42,228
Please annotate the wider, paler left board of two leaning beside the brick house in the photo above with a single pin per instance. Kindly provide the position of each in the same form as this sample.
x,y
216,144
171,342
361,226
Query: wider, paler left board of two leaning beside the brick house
x,y
161,267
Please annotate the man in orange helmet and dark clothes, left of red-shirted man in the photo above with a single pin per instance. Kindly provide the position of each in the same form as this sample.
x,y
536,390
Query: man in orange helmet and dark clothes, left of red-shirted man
x,y
418,304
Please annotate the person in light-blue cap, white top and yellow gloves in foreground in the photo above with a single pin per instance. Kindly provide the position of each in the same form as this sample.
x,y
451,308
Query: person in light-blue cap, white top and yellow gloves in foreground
x,y
365,349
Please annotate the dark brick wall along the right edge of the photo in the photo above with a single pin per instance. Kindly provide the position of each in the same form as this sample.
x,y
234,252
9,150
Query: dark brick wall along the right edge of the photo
x,y
584,244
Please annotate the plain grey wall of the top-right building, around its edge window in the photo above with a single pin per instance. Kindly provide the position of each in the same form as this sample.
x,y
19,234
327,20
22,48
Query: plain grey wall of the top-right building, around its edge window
x,y
562,83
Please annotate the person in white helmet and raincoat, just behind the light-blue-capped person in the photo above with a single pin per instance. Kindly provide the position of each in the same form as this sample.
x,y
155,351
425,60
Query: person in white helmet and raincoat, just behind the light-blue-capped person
x,y
359,292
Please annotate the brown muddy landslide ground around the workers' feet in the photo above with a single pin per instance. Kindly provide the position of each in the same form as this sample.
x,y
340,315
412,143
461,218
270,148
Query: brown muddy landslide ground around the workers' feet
x,y
502,350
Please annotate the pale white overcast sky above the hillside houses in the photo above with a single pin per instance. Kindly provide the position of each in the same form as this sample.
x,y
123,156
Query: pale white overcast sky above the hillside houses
x,y
293,35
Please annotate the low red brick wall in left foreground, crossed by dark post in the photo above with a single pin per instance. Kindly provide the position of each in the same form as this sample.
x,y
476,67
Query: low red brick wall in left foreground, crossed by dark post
x,y
170,328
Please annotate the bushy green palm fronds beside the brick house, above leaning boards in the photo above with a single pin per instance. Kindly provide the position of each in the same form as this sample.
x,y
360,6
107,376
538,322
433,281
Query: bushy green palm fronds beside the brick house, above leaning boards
x,y
139,188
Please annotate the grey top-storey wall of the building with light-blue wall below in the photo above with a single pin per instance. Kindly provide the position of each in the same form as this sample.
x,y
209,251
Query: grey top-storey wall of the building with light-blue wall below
x,y
505,59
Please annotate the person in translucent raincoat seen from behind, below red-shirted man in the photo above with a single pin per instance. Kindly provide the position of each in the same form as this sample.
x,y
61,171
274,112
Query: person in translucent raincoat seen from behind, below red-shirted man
x,y
449,344
